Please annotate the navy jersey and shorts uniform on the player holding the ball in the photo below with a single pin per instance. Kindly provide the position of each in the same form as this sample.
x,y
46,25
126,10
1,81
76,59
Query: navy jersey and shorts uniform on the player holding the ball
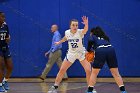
x,y
104,52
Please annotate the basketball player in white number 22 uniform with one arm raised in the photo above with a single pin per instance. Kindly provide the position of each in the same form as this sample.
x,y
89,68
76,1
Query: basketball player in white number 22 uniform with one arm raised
x,y
76,50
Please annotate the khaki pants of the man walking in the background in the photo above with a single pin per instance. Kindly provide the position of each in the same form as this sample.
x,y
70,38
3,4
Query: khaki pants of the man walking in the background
x,y
53,58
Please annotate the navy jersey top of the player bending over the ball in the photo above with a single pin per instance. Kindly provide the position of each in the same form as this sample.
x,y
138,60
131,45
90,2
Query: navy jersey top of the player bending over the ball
x,y
94,42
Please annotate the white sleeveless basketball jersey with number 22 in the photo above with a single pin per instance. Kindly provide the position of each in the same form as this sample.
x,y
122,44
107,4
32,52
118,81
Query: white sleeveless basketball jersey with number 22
x,y
75,40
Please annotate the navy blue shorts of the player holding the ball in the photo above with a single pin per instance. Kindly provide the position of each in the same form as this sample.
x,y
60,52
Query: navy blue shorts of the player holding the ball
x,y
105,54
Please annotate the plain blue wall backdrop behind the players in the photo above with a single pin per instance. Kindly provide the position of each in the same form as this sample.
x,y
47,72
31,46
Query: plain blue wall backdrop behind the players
x,y
29,22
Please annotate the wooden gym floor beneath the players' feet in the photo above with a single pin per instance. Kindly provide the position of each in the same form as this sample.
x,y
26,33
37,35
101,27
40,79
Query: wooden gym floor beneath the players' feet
x,y
72,85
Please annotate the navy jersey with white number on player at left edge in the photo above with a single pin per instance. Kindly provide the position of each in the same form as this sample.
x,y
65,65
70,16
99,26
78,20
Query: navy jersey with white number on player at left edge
x,y
4,33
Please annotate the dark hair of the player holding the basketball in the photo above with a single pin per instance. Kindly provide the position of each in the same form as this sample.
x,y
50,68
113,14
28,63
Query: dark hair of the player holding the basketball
x,y
98,32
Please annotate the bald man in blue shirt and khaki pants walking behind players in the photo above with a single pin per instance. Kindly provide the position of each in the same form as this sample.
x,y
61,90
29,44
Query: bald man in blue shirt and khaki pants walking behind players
x,y
54,53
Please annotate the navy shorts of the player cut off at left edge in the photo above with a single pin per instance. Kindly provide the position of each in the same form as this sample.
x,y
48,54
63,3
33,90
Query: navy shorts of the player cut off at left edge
x,y
5,52
